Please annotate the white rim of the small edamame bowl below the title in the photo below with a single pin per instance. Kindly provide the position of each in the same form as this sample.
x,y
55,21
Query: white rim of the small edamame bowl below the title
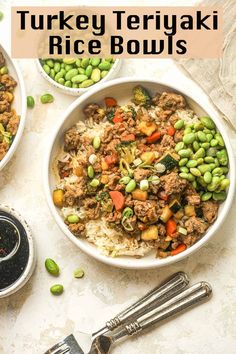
x,y
79,91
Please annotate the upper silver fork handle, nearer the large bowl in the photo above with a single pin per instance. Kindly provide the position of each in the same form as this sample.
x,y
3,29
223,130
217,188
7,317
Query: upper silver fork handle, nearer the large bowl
x,y
172,286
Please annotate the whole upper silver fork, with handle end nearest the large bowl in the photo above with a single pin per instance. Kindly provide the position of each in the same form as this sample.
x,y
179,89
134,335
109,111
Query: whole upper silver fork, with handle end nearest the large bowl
x,y
170,287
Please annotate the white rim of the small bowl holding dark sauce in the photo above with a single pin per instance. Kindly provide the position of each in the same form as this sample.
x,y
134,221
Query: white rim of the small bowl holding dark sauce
x,y
25,276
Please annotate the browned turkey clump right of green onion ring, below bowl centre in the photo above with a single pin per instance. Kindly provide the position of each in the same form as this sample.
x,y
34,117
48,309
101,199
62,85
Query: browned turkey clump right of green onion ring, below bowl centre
x,y
145,211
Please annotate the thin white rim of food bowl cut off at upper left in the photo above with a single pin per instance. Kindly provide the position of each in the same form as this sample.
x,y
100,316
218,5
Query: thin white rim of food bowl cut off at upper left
x,y
21,126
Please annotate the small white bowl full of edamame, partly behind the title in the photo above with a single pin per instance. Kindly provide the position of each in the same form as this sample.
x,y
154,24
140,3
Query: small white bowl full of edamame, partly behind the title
x,y
76,76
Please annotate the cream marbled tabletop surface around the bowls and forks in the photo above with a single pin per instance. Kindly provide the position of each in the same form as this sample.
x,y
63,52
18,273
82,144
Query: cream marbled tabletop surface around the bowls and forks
x,y
32,320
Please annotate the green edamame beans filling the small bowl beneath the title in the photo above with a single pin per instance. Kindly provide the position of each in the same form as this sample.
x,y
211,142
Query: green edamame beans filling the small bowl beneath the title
x,y
77,73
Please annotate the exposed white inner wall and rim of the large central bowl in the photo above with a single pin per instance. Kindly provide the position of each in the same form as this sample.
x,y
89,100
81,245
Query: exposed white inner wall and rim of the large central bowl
x,y
121,89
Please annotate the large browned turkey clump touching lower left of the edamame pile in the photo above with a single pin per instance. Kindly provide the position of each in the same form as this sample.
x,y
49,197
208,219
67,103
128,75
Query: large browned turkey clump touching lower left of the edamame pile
x,y
172,183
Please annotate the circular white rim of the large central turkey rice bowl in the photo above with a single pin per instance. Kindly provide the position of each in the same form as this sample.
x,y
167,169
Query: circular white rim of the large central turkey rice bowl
x,y
155,262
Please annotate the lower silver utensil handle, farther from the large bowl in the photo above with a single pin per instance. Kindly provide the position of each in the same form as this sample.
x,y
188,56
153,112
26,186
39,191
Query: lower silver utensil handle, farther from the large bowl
x,y
188,298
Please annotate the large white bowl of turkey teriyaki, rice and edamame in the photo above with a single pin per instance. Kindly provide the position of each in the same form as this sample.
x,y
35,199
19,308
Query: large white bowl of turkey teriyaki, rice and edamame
x,y
114,181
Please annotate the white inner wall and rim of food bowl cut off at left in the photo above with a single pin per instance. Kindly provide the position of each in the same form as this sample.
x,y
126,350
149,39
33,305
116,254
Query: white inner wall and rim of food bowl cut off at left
x,y
19,104
